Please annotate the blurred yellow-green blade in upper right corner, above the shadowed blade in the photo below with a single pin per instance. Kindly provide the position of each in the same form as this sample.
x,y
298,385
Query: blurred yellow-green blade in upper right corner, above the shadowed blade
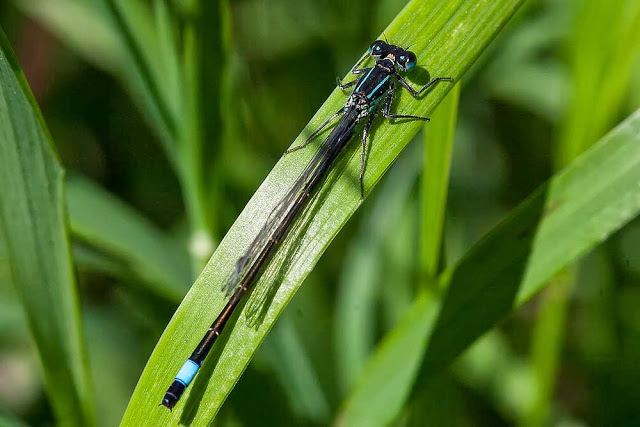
x,y
606,44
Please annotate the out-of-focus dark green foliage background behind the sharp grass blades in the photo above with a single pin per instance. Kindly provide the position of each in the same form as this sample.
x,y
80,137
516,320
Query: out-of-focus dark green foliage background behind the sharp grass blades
x,y
521,117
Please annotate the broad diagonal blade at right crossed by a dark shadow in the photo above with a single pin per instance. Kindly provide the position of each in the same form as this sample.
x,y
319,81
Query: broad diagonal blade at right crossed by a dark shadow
x,y
578,209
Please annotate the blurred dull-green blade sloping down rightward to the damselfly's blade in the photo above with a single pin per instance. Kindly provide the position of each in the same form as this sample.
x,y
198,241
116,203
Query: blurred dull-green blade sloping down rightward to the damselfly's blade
x,y
128,237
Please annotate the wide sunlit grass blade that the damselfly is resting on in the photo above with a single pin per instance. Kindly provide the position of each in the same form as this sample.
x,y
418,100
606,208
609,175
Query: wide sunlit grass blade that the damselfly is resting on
x,y
448,36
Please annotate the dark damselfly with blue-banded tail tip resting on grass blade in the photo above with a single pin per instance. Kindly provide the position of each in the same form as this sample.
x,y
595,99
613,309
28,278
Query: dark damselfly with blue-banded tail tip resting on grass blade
x,y
365,102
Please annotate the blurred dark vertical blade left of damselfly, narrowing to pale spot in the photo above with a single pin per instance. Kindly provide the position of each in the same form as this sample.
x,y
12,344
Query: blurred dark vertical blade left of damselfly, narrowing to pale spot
x,y
205,61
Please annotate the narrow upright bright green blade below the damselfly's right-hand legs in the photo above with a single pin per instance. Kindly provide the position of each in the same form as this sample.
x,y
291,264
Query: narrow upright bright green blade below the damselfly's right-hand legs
x,y
435,182
